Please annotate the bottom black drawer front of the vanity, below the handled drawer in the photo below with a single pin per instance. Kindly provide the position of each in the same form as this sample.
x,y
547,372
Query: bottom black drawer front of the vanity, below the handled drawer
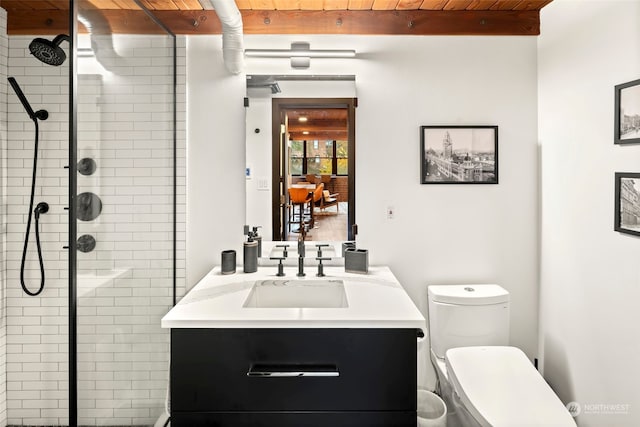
x,y
309,419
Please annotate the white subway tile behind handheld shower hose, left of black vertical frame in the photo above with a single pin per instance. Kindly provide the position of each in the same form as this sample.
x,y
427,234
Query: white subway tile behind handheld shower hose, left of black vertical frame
x,y
37,326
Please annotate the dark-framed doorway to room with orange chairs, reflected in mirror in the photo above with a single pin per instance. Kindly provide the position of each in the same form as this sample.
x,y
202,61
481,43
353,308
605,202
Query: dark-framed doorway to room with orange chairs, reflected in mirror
x,y
313,169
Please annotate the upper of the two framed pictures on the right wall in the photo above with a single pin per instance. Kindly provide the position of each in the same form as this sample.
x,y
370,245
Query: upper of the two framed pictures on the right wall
x,y
627,113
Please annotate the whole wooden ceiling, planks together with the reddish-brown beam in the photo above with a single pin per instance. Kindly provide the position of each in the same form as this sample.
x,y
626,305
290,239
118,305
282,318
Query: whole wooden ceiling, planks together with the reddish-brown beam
x,y
410,17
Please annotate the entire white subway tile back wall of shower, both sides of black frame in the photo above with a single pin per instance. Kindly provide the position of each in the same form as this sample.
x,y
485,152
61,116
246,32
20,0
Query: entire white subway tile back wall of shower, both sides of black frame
x,y
125,284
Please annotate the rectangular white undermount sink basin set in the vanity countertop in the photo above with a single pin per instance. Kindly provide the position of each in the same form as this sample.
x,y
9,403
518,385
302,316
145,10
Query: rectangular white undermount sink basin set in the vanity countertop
x,y
312,293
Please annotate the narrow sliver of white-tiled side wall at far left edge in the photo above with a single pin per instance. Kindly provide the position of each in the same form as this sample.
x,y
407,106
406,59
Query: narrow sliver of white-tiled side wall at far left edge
x,y
4,46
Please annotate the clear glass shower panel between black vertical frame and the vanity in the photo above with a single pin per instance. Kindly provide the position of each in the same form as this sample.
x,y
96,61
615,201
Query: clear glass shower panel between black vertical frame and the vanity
x,y
125,220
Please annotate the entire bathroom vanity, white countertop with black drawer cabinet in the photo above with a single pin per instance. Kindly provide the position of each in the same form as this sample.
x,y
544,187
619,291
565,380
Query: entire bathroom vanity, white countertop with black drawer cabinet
x,y
261,350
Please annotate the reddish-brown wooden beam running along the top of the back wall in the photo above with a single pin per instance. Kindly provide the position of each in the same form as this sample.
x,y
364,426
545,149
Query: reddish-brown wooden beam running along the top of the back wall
x,y
414,22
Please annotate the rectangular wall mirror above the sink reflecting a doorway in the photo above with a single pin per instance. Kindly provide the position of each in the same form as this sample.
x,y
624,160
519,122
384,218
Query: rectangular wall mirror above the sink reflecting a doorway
x,y
300,134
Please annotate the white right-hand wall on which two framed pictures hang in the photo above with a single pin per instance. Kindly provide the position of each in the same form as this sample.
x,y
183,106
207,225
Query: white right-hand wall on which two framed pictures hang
x,y
590,275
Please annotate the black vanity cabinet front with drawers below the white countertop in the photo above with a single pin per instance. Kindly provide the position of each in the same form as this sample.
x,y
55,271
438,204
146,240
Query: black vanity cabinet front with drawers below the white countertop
x,y
293,377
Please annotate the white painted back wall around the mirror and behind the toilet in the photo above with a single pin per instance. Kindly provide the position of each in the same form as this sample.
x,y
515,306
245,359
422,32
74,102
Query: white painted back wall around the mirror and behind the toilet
x,y
441,233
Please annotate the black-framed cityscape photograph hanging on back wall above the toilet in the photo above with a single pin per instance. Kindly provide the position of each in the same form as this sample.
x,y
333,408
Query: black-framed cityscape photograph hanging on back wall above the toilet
x,y
459,154
